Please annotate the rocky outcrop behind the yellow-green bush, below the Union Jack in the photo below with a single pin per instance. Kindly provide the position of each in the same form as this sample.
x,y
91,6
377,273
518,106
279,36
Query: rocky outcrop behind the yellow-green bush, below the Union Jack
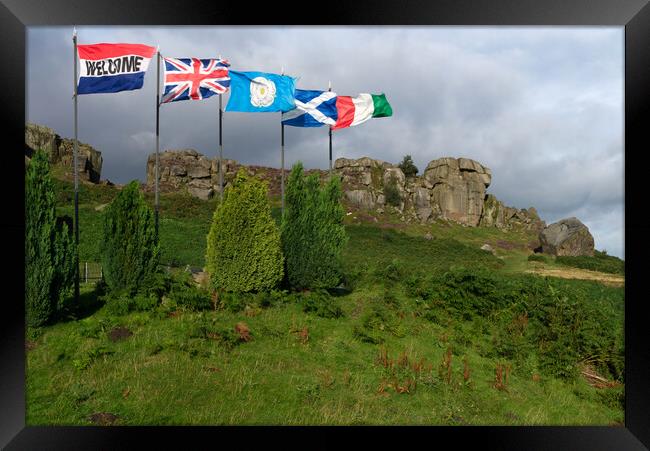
x,y
189,170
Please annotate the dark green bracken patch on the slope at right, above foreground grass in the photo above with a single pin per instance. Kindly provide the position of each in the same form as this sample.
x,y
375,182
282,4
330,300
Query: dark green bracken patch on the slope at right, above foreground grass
x,y
563,322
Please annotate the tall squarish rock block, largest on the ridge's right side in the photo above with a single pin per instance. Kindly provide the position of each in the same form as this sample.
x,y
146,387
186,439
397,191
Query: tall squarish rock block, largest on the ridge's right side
x,y
458,188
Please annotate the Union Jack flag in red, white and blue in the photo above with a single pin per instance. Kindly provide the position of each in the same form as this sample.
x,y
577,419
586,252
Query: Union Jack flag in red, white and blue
x,y
194,78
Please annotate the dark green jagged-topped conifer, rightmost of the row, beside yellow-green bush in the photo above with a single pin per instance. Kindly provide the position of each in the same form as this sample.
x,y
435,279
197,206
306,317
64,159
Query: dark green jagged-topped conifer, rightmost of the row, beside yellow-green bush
x,y
313,235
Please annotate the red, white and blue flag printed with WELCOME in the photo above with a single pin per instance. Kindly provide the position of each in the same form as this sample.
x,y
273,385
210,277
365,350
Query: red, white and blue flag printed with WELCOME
x,y
112,67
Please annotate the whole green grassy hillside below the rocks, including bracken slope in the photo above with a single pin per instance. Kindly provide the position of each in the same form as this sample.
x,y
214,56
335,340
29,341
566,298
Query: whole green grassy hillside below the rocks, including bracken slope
x,y
423,331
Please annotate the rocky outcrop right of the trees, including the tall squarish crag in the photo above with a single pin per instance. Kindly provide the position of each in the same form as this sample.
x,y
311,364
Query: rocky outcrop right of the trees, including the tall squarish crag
x,y
451,189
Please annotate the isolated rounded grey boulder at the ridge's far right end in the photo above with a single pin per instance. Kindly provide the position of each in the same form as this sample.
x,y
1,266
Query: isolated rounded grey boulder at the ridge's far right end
x,y
568,237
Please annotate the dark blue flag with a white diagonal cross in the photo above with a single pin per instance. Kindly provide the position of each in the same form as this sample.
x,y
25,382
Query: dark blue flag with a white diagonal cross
x,y
313,109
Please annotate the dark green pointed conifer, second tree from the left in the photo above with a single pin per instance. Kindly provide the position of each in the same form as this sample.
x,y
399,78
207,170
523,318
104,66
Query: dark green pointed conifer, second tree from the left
x,y
130,250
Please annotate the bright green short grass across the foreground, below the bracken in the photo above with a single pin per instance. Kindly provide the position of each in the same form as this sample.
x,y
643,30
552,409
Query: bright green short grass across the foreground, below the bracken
x,y
164,374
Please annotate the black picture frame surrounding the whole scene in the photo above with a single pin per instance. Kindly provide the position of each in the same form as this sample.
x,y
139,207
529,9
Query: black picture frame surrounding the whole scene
x,y
634,15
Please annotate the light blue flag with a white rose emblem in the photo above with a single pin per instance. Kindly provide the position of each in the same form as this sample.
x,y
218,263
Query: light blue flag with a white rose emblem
x,y
261,92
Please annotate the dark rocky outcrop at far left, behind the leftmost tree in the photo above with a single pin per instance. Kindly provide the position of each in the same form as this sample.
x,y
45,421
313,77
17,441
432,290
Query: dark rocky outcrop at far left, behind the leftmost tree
x,y
61,152
